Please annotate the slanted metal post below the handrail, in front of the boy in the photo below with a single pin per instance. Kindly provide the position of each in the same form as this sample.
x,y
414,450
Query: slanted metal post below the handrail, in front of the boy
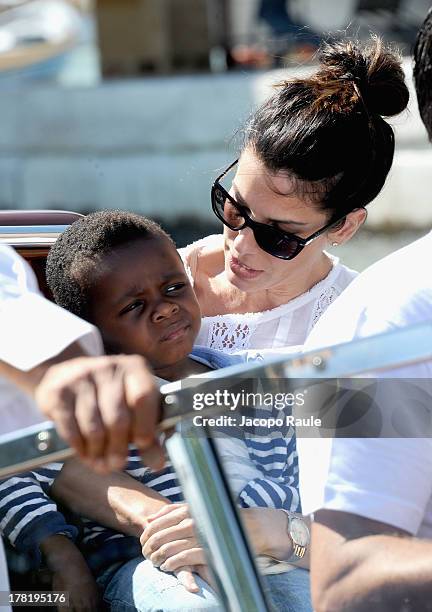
x,y
196,463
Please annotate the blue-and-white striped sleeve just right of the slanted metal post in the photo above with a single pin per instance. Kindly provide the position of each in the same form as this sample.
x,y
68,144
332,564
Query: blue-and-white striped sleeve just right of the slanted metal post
x,y
278,485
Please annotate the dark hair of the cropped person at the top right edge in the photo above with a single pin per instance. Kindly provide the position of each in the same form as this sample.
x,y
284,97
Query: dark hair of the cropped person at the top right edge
x,y
423,71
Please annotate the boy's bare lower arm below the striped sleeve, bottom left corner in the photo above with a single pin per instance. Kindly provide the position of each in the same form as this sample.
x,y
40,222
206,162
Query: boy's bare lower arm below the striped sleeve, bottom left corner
x,y
71,574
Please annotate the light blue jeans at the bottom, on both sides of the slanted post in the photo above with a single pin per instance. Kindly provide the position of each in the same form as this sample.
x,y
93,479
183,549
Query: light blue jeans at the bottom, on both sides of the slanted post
x,y
139,586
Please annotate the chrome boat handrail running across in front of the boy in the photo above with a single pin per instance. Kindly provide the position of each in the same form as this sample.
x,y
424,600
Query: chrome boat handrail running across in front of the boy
x,y
384,351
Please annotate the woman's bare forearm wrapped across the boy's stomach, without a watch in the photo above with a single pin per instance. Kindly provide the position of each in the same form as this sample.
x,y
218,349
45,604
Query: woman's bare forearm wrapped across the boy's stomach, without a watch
x,y
115,500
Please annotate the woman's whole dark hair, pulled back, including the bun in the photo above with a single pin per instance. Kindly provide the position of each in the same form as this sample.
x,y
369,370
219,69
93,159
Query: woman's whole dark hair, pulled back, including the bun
x,y
327,131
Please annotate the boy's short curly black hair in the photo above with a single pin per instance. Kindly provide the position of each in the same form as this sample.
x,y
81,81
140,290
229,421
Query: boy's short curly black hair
x,y
72,260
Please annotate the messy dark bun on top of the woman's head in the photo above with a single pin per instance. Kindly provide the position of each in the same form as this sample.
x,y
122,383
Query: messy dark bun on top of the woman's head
x,y
375,69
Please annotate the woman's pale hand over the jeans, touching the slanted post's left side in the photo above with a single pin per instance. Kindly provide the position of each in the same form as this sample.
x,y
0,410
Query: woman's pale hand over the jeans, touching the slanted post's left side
x,y
170,543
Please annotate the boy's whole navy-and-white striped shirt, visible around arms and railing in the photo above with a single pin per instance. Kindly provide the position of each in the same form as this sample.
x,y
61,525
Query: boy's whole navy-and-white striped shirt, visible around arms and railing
x,y
264,469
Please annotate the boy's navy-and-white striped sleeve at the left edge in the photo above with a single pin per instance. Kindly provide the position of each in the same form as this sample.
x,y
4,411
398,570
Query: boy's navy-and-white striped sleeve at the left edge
x,y
28,515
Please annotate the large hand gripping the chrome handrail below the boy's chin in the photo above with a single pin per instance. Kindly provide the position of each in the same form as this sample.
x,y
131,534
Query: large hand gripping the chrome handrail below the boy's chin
x,y
100,404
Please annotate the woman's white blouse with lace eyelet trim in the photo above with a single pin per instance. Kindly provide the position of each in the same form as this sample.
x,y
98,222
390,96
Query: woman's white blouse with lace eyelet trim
x,y
285,325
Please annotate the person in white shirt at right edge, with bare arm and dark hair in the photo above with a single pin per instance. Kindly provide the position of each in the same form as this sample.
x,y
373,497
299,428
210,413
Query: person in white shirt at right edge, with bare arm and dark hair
x,y
372,498
